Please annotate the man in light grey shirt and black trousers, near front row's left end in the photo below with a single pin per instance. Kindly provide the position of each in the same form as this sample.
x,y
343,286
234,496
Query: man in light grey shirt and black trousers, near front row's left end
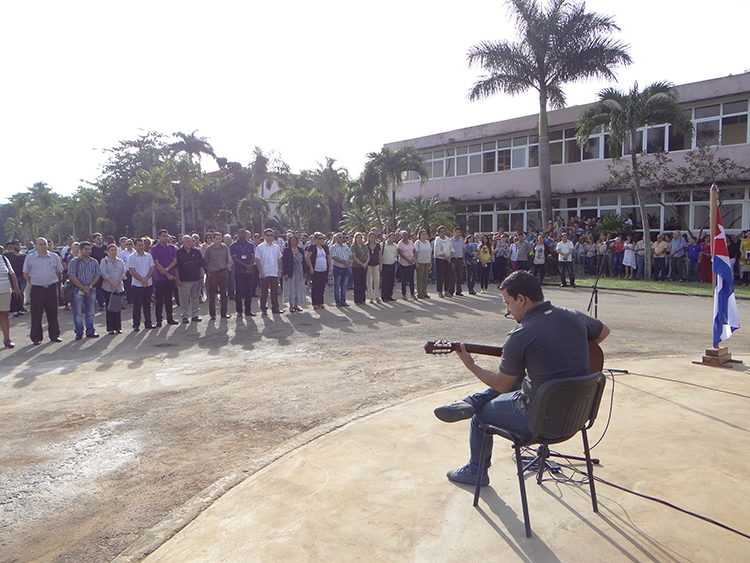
x,y
43,271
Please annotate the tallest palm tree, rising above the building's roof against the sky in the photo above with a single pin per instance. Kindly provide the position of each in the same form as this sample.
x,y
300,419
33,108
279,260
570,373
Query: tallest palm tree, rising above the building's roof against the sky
x,y
559,44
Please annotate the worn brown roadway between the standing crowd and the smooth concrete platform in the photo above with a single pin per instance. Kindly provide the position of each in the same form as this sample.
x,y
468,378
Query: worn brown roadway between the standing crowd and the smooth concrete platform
x,y
103,439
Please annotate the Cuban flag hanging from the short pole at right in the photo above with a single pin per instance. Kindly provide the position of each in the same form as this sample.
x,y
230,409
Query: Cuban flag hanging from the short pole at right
x,y
726,314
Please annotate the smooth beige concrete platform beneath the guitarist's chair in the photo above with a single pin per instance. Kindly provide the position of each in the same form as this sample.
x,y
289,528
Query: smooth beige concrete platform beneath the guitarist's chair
x,y
375,489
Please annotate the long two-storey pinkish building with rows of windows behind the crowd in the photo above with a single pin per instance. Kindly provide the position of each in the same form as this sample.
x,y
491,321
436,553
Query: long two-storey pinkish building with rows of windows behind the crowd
x,y
490,171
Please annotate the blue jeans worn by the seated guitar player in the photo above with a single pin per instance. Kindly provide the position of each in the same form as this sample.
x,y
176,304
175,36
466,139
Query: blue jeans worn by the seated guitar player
x,y
507,411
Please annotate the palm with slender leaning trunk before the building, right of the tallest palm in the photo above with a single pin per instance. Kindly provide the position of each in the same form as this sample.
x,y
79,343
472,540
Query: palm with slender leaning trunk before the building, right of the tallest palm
x,y
623,114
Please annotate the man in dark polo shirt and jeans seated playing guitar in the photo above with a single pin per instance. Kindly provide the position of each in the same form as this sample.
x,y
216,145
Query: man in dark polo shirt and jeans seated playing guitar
x,y
549,343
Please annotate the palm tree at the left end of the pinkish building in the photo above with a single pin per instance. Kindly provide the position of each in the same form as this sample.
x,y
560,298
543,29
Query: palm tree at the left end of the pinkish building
x,y
387,168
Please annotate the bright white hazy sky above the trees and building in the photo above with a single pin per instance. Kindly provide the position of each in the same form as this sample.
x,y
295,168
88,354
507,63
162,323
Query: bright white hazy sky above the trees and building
x,y
307,79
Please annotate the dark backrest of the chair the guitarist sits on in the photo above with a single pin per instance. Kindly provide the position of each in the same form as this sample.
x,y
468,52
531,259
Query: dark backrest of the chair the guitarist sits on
x,y
562,407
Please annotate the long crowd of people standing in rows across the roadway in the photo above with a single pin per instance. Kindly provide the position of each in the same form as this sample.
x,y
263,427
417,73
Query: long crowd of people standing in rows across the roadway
x,y
289,267
